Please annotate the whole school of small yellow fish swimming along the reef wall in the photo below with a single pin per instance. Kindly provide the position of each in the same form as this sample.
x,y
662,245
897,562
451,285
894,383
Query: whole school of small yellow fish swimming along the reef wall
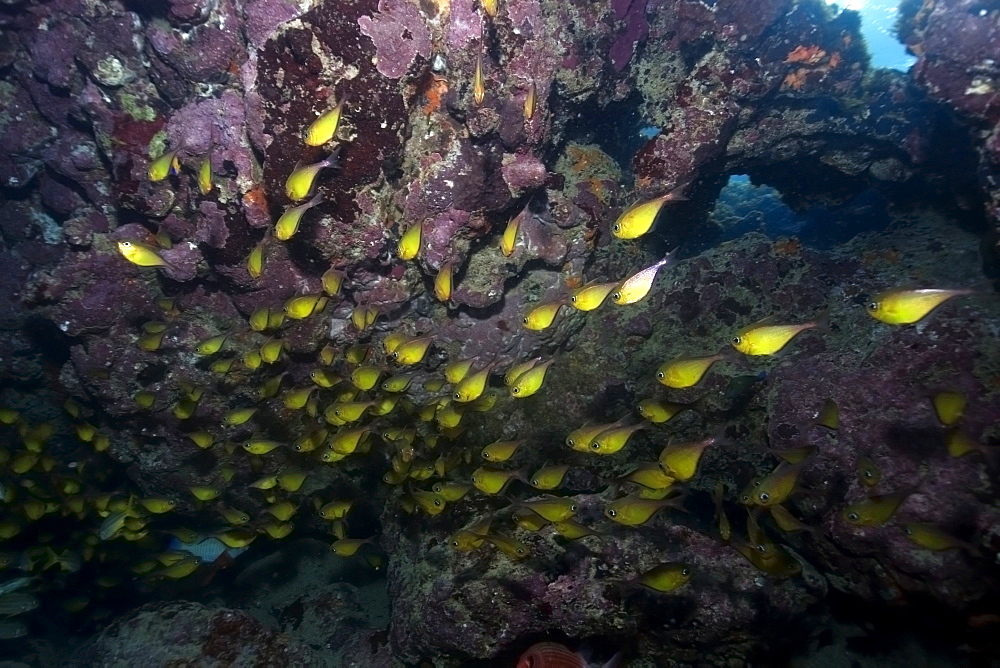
x,y
377,399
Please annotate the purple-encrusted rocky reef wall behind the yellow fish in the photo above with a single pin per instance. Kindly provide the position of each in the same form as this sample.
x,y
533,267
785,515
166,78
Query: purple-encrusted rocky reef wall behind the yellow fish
x,y
93,93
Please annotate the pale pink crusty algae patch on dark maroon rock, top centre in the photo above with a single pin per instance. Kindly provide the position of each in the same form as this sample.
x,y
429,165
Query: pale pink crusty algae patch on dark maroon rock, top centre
x,y
399,34
